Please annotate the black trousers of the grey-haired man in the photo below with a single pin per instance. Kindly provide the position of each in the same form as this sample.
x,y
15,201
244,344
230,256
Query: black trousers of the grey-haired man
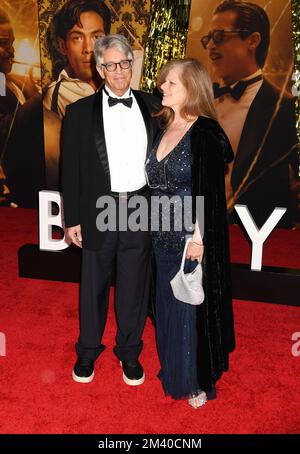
x,y
129,255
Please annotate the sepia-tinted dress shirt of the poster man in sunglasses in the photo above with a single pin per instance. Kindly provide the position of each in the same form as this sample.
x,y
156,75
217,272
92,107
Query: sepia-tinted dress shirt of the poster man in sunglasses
x,y
232,115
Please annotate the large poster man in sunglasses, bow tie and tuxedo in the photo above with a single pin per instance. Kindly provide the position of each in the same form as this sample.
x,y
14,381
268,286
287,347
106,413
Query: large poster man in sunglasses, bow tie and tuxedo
x,y
258,119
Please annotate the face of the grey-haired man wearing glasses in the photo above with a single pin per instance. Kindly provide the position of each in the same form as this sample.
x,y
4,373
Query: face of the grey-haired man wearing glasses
x,y
118,81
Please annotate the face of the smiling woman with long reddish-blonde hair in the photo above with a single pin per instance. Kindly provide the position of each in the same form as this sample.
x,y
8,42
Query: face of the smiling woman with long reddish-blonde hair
x,y
174,92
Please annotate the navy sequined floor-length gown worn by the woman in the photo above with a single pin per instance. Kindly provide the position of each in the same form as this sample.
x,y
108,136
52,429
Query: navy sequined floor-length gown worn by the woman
x,y
175,321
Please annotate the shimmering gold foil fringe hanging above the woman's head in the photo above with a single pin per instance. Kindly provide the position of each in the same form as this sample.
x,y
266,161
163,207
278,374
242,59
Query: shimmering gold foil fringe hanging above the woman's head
x,y
167,37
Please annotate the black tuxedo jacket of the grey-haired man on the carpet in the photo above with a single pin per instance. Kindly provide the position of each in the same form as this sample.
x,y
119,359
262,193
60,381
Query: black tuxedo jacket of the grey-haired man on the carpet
x,y
85,171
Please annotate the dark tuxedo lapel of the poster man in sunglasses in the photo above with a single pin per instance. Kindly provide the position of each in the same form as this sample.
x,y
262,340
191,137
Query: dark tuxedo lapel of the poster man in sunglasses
x,y
253,132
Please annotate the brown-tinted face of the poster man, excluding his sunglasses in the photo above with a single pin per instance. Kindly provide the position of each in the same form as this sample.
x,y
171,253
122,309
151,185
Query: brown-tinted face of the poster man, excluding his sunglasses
x,y
230,58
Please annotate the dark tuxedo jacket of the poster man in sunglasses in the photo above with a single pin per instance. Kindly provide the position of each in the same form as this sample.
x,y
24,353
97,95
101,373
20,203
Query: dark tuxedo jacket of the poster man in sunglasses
x,y
268,185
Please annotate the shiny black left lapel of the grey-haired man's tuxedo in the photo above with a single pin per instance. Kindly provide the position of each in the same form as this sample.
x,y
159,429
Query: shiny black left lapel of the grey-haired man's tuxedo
x,y
99,133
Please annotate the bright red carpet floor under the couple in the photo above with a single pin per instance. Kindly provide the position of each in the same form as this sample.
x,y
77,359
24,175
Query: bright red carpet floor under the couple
x,y
260,394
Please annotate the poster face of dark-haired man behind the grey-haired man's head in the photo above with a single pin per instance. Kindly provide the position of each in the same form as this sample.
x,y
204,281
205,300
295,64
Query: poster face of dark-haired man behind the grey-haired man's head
x,y
79,45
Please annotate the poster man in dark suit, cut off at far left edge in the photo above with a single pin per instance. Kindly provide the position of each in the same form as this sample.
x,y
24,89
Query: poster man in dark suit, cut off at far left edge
x,y
16,105
